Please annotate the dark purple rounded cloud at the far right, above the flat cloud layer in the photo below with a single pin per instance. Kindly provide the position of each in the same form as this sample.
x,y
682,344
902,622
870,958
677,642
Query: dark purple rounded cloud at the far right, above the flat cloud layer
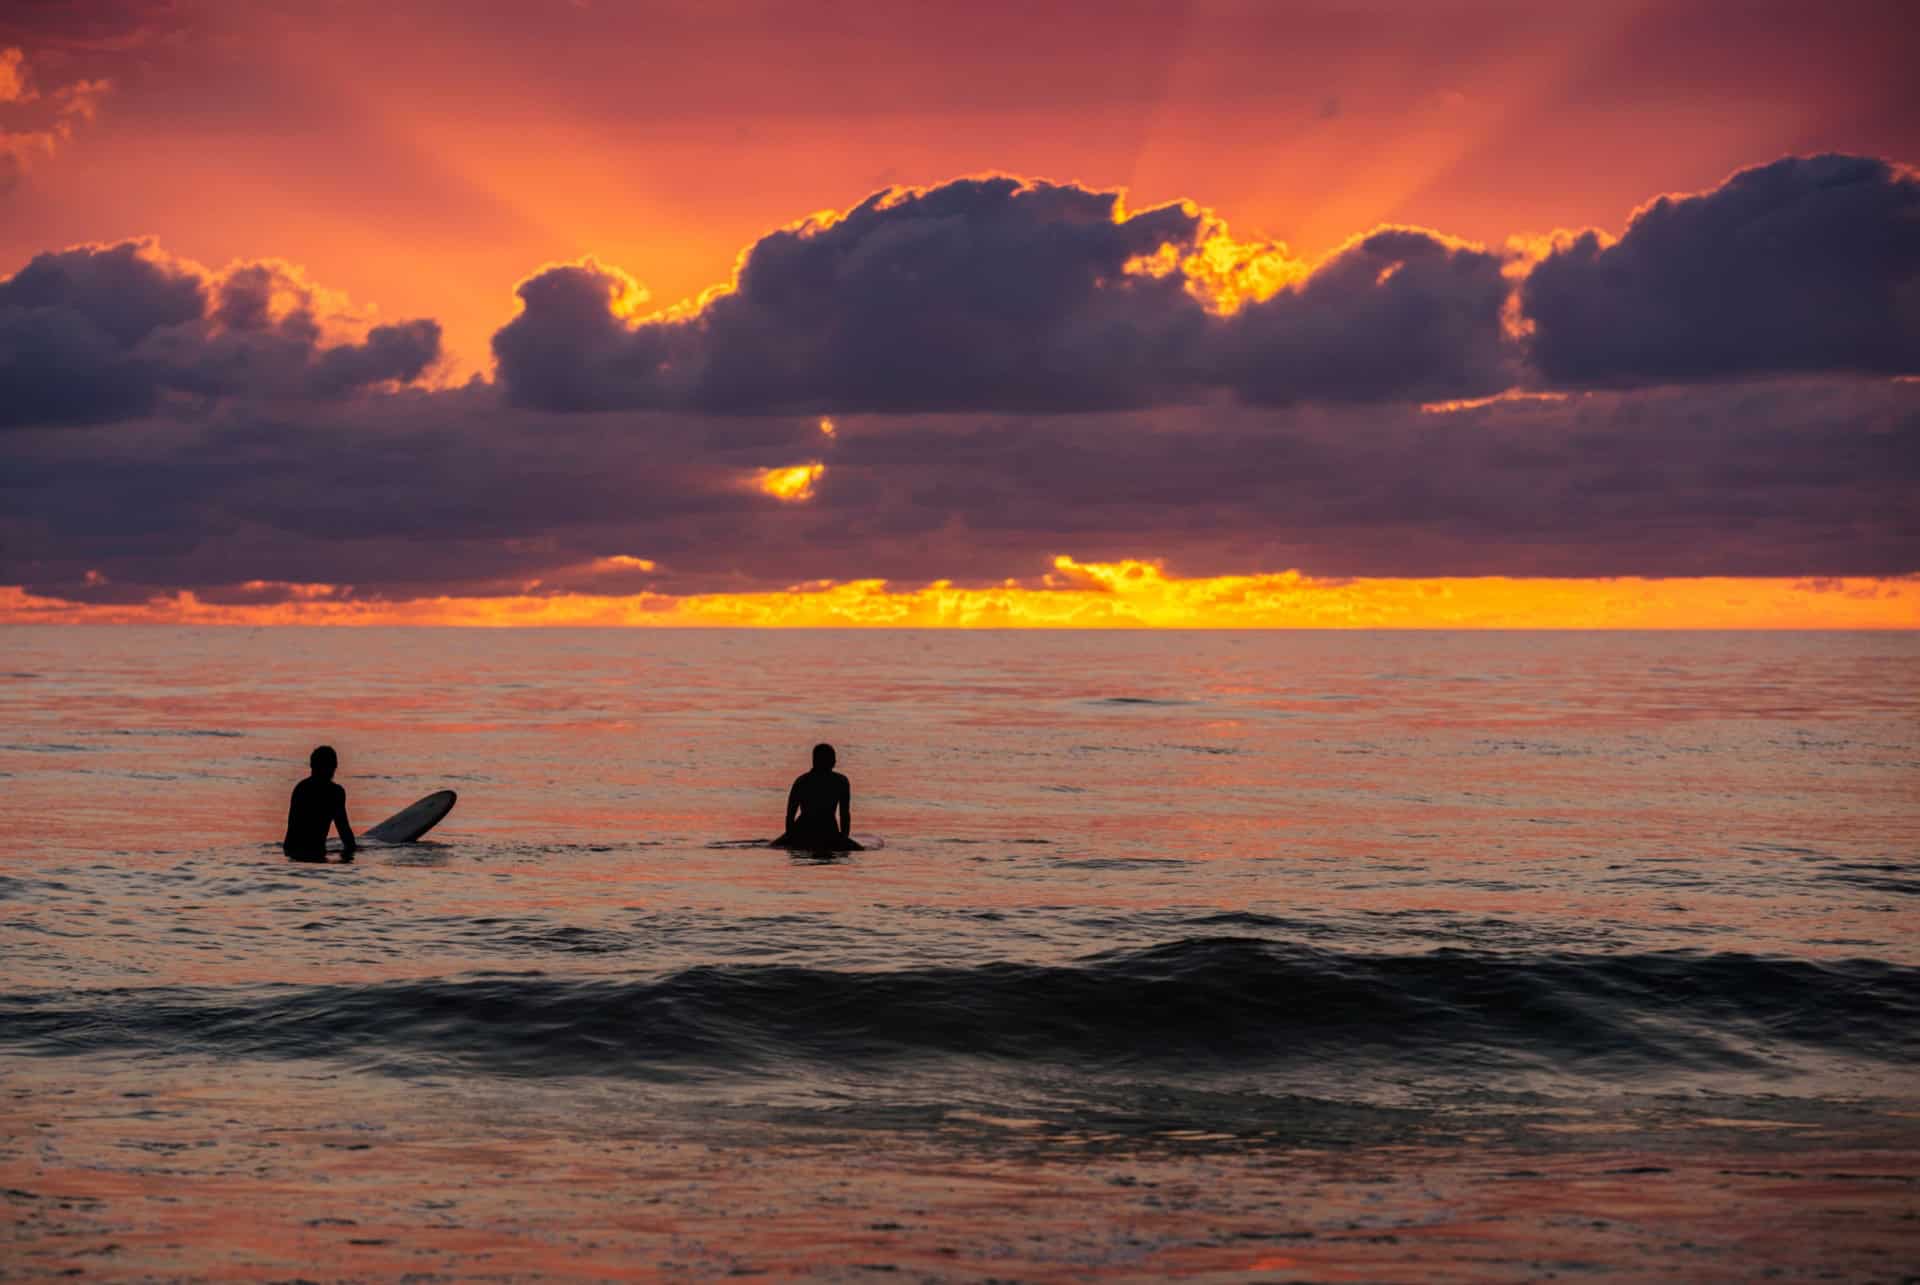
x,y
1808,264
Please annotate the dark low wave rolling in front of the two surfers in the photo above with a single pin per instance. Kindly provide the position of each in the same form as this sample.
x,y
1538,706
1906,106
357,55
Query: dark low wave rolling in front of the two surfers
x,y
1203,1004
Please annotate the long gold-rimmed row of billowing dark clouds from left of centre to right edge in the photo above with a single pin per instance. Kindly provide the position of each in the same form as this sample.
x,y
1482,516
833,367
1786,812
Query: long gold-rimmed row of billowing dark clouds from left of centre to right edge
x,y
994,295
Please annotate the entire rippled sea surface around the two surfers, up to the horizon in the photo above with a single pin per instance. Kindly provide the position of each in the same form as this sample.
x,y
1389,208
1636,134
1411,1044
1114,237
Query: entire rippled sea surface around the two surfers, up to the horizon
x,y
1211,956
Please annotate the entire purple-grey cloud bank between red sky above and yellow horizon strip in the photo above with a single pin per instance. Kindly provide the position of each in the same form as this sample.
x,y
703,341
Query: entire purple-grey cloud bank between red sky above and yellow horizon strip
x,y
1005,389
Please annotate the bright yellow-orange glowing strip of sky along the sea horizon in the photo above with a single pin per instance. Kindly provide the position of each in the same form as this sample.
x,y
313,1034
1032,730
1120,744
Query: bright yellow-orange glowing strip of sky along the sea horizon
x,y
1126,594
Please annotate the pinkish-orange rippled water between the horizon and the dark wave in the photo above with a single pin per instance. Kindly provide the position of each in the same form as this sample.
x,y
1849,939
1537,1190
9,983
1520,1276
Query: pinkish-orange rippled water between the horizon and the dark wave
x,y
1716,792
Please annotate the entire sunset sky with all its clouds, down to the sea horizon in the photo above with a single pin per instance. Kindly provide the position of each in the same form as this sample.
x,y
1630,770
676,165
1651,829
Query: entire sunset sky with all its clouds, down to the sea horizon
x,y
1351,312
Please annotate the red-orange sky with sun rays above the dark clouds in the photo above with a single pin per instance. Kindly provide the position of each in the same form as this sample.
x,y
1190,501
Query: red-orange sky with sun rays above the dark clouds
x,y
427,157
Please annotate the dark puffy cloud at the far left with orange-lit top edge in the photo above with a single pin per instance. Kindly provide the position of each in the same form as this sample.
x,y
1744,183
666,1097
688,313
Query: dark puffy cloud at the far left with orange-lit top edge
x,y
105,333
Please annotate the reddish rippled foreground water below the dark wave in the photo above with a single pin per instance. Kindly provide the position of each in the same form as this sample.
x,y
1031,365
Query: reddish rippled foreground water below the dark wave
x,y
268,1175
